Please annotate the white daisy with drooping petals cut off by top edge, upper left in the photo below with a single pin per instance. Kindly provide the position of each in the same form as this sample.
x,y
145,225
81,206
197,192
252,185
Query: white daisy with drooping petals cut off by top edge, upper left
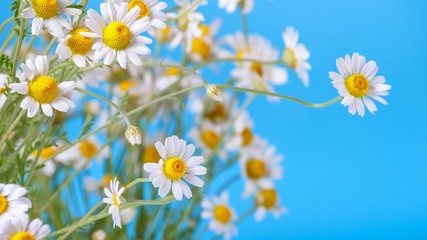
x,y
47,13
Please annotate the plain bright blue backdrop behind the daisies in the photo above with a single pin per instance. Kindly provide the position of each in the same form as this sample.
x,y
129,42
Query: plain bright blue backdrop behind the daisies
x,y
346,177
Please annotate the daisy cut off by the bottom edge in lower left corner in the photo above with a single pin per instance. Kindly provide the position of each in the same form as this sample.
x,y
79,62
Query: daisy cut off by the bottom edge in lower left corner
x,y
21,228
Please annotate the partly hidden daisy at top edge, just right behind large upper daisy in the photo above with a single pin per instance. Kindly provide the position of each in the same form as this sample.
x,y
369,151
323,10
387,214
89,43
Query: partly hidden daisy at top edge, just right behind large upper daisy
x,y
152,9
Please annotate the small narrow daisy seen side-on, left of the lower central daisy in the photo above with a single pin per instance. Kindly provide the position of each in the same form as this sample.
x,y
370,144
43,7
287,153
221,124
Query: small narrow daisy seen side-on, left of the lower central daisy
x,y
113,198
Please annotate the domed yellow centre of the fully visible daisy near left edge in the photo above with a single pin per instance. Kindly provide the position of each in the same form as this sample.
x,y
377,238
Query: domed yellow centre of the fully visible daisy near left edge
x,y
43,89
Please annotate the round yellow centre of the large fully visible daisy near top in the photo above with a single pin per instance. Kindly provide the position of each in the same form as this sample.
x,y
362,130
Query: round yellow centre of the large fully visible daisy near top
x,y
117,36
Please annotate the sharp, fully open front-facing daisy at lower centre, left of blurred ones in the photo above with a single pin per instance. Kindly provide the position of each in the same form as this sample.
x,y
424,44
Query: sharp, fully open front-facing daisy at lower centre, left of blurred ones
x,y
176,164
